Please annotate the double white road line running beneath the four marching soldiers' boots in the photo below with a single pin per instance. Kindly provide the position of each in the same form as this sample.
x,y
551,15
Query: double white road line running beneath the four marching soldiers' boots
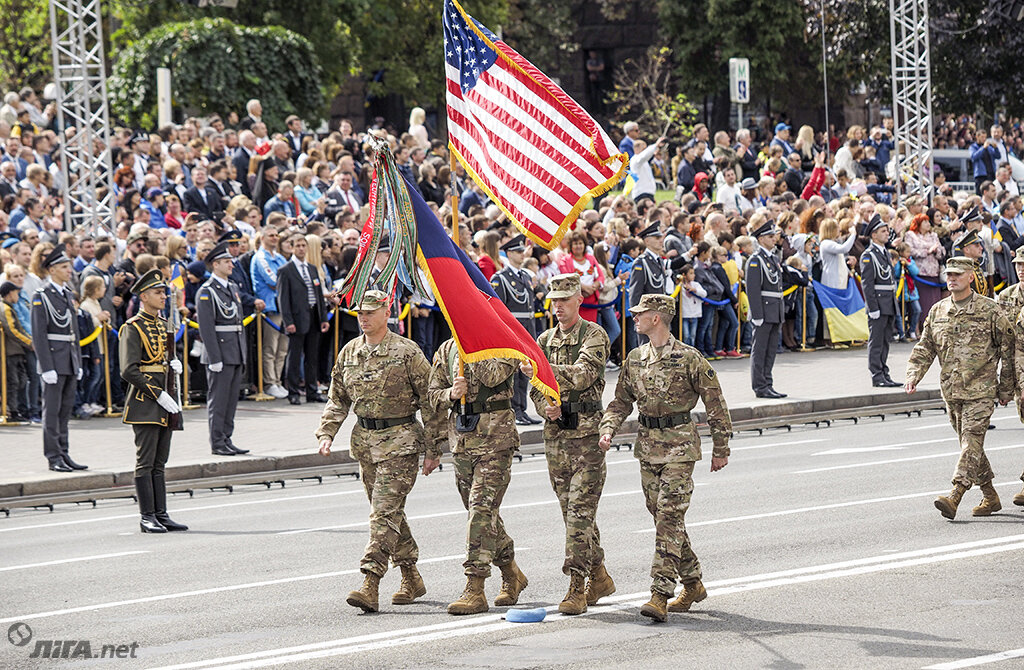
x,y
492,623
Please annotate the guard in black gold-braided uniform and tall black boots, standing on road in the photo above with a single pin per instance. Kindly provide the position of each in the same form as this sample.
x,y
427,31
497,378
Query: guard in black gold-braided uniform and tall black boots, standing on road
x,y
149,366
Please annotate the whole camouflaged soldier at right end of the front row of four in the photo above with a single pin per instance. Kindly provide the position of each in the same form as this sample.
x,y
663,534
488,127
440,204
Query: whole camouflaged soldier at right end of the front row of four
x,y
665,379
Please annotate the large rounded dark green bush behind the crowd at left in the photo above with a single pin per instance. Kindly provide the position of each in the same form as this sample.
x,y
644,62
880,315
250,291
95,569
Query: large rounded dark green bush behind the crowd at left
x,y
217,66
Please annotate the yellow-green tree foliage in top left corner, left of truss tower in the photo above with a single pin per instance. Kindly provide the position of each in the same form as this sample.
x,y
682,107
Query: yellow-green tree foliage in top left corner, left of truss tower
x,y
25,45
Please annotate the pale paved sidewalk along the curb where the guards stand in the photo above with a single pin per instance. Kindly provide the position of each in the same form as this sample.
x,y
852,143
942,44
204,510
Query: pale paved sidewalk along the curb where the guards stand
x,y
282,437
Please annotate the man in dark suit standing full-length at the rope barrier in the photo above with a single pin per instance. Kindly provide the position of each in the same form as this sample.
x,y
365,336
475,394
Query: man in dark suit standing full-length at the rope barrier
x,y
304,312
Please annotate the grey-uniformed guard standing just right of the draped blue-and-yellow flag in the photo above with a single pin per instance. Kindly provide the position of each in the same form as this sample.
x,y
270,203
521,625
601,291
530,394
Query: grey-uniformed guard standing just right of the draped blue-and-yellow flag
x,y
880,295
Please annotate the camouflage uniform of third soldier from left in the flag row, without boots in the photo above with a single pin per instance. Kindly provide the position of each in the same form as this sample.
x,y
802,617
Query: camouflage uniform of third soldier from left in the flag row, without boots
x,y
576,464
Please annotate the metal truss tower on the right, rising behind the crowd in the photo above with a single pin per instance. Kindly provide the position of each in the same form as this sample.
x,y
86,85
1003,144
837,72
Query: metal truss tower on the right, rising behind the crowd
x,y
912,96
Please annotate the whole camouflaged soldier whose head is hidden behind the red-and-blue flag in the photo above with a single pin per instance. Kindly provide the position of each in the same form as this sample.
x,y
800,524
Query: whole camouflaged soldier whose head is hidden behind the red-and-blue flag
x,y
484,440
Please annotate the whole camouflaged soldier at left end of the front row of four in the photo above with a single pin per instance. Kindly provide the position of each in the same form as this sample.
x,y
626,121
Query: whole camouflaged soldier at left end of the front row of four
x,y
382,378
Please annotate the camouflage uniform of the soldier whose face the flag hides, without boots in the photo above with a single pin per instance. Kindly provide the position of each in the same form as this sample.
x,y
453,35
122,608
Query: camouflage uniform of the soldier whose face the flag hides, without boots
x,y
484,456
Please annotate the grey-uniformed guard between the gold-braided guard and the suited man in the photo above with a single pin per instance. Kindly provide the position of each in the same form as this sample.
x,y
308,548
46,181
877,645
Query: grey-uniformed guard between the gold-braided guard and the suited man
x,y
219,309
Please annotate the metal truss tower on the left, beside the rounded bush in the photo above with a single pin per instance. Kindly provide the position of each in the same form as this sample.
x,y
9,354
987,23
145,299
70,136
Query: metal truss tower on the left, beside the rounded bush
x,y
76,29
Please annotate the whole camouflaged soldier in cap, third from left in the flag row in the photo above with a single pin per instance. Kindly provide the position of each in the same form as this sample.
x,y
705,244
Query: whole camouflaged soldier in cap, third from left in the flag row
x,y
578,351
